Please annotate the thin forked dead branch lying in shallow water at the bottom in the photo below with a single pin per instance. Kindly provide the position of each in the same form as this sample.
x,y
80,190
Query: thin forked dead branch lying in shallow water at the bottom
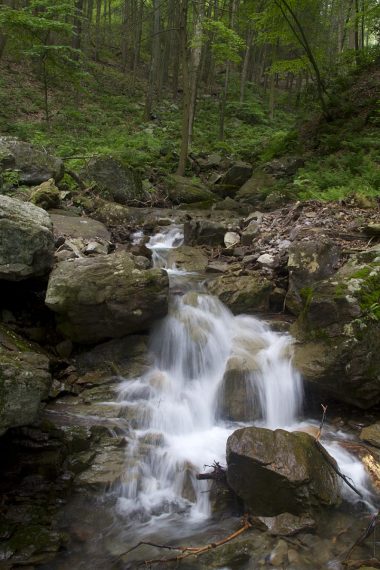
x,y
187,551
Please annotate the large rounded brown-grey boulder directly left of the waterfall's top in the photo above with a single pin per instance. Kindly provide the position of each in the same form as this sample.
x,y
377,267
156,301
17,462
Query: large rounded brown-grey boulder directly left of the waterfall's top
x,y
106,297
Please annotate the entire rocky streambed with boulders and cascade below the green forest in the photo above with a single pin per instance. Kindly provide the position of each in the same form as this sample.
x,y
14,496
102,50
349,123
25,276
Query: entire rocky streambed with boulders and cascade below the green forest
x,y
77,370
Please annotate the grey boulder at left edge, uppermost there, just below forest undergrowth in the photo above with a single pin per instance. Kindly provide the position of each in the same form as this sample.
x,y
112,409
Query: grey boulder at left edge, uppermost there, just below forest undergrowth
x,y
32,165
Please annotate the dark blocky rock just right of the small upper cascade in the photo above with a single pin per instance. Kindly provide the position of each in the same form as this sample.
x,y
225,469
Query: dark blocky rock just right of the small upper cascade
x,y
207,232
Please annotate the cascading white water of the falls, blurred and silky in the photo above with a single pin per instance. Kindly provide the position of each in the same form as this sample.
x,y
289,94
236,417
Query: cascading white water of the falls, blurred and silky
x,y
175,405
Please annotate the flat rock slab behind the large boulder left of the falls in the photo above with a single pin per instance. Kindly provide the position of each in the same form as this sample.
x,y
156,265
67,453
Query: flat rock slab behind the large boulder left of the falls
x,y
78,227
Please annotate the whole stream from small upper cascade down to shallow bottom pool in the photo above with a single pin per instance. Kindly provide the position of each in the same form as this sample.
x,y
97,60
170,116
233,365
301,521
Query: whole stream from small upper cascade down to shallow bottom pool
x,y
177,428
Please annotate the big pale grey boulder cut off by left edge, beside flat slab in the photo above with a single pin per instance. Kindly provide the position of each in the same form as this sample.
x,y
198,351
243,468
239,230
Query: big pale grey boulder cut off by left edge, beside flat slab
x,y
27,243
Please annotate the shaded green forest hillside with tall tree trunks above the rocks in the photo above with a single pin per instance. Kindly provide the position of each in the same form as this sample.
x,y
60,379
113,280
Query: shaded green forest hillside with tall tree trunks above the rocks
x,y
159,83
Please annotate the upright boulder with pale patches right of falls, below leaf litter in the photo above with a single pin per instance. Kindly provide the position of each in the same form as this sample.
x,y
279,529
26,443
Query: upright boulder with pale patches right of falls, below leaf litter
x,y
309,261
